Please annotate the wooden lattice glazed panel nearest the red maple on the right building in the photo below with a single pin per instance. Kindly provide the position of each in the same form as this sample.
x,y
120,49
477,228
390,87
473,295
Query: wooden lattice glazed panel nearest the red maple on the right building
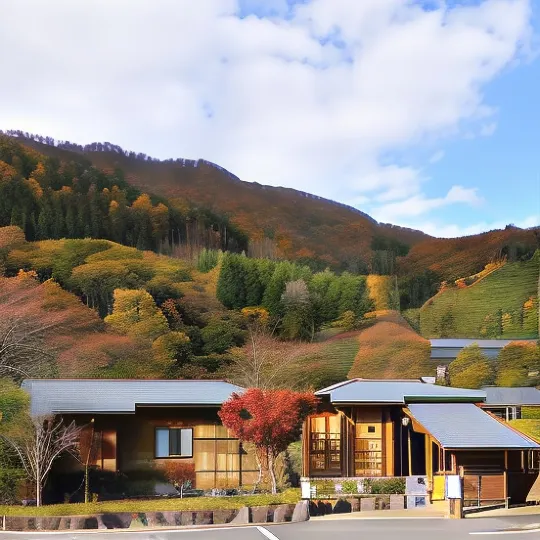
x,y
325,445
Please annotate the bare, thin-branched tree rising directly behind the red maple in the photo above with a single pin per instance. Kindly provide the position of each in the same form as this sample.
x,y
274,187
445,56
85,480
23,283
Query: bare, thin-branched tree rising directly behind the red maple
x,y
267,362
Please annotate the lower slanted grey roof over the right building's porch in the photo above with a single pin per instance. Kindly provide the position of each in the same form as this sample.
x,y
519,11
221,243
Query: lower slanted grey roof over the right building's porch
x,y
464,425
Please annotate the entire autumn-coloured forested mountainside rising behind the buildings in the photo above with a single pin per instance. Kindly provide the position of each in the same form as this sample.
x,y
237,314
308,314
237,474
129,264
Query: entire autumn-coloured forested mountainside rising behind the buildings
x,y
181,264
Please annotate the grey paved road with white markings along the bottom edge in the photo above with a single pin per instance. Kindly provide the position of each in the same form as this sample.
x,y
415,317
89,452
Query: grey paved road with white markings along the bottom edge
x,y
361,529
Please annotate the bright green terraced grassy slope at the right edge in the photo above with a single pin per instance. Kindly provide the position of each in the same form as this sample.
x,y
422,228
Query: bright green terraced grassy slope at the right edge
x,y
500,296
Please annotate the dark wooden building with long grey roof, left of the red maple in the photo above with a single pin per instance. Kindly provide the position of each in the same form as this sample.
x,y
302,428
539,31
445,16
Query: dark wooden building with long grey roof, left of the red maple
x,y
133,426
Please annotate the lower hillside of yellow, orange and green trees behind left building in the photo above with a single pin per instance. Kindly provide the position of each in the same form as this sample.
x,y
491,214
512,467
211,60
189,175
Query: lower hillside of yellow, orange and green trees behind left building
x,y
114,305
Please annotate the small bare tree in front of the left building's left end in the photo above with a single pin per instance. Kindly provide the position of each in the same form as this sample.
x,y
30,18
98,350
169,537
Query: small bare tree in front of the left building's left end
x,y
45,439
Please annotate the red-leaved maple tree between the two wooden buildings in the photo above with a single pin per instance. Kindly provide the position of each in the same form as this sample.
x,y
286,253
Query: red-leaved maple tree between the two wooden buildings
x,y
268,419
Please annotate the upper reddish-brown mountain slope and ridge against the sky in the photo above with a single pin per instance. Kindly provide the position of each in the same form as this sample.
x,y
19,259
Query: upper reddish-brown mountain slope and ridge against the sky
x,y
275,222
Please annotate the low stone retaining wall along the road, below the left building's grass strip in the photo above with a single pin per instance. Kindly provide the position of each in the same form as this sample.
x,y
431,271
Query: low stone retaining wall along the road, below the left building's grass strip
x,y
125,520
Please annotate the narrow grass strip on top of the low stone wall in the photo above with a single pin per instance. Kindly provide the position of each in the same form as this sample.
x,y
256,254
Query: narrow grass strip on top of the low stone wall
x,y
289,496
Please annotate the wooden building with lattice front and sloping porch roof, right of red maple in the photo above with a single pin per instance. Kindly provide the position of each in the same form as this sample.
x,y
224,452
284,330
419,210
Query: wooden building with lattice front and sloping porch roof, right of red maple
x,y
399,428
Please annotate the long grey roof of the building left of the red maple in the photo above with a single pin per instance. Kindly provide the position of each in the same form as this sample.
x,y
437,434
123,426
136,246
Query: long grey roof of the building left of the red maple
x,y
121,396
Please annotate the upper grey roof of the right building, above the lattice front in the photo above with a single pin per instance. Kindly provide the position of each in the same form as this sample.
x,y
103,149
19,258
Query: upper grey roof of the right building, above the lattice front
x,y
394,391
